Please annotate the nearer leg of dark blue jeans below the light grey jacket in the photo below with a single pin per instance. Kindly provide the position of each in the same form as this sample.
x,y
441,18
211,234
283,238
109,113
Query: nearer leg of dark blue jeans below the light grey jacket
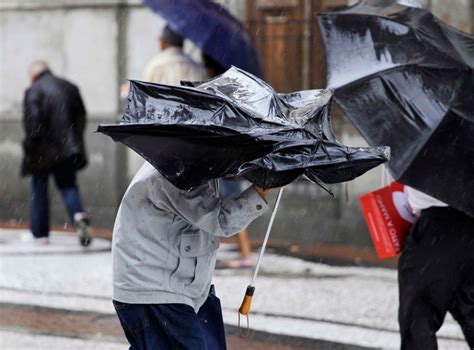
x,y
160,326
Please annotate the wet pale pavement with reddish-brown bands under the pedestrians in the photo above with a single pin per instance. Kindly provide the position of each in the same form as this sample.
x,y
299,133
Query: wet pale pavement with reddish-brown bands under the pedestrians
x,y
58,296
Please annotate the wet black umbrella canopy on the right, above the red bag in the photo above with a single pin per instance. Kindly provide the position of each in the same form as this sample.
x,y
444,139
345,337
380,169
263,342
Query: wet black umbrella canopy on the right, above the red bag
x,y
405,79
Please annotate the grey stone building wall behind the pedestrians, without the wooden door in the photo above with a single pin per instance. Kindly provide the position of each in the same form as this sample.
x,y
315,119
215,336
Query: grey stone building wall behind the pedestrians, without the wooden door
x,y
100,44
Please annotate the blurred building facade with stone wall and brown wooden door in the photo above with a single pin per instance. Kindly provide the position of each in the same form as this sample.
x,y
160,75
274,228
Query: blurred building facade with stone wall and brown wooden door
x,y
98,45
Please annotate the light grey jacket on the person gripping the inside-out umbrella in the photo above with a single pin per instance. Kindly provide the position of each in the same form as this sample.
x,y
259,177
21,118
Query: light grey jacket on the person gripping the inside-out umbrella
x,y
165,239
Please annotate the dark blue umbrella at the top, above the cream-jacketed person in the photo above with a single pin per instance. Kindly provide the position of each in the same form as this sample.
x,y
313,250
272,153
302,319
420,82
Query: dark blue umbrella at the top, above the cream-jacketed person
x,y
213,29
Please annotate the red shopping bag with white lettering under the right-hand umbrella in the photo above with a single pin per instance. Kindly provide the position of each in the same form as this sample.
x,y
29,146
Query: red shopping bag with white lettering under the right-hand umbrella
x,y
389,217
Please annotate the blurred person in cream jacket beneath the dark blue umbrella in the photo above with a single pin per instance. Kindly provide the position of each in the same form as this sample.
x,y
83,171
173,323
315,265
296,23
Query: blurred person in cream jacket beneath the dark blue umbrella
x,y
172,65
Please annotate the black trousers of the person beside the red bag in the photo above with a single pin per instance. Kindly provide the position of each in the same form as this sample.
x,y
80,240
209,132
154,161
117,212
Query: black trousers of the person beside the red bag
x,y
436,275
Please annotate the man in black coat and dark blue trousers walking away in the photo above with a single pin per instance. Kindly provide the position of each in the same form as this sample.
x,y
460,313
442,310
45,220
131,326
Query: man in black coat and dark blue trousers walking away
x,y
54,119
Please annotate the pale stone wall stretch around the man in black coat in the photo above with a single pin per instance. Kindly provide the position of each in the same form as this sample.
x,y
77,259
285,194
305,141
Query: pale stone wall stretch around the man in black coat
x,y
95,44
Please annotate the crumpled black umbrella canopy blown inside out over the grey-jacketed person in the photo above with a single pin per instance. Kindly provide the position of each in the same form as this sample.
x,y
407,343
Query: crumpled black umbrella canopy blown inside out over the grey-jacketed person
x,y
235,125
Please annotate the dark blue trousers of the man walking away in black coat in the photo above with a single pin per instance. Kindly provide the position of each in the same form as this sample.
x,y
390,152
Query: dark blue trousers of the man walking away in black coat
x,y
65,178
